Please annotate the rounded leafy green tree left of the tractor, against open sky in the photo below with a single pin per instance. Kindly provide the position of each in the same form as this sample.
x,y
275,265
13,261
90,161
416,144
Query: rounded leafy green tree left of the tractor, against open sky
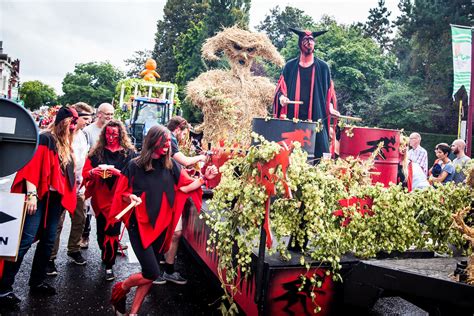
x,y
93,83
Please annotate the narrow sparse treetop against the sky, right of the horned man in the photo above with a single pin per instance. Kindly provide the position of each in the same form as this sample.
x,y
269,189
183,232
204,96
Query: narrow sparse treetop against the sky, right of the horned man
x,y
378,25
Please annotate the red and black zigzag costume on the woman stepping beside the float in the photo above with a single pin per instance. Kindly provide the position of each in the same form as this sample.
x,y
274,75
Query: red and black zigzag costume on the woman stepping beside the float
x,y
152,223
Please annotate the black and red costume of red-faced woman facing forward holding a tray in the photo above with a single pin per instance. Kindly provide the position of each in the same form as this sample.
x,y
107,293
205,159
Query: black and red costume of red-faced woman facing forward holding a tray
x,y
101,191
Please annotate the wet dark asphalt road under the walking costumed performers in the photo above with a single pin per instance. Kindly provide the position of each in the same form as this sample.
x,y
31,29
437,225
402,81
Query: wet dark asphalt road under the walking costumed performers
x,y
82,290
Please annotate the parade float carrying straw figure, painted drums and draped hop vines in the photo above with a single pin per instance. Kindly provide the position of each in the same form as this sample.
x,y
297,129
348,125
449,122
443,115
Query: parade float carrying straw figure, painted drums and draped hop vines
x,y
285,235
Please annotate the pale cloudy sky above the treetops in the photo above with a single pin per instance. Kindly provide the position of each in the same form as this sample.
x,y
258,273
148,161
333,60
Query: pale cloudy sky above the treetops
x,y
51,36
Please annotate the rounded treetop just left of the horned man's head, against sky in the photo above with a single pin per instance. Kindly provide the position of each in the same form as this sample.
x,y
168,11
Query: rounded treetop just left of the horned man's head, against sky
x,y
276,24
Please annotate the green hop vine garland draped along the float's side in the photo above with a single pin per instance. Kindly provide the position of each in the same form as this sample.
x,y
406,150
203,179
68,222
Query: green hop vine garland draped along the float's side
x,y
397,219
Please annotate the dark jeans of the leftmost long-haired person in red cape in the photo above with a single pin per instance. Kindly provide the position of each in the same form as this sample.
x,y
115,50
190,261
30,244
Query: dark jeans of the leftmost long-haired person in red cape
x,y
32,228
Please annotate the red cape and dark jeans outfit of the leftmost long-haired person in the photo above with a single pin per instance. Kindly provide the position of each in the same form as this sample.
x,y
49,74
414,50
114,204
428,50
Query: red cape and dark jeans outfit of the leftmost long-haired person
x,y
56,189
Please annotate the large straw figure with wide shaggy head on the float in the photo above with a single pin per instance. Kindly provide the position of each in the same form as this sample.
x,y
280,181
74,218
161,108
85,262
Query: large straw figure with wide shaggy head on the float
x,y
229,99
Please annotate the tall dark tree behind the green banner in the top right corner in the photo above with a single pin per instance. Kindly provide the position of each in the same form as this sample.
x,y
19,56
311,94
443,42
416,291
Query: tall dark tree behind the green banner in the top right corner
x,y
423,47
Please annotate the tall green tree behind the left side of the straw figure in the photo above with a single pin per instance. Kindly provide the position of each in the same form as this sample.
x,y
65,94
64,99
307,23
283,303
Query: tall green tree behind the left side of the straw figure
x,y
181,33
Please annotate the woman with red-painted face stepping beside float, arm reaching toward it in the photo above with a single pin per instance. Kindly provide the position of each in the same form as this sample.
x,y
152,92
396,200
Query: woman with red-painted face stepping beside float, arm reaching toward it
x,y
160,188
